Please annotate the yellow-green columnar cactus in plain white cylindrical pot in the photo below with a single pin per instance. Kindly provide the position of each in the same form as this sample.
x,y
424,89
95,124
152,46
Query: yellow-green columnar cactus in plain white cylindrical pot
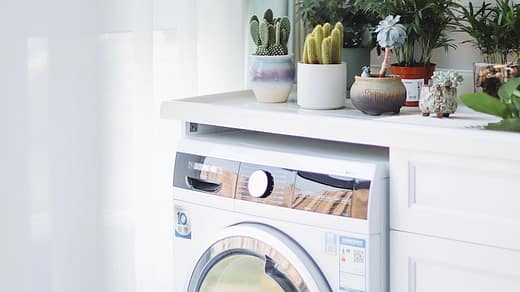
x,y
322,74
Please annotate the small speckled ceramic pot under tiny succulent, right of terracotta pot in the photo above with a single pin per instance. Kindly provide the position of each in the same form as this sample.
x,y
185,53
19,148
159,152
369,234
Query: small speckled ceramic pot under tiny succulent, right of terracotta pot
x,y
441,101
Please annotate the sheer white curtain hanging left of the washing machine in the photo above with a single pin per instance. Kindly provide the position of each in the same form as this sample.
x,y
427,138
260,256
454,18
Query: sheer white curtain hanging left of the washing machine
x,y
86,163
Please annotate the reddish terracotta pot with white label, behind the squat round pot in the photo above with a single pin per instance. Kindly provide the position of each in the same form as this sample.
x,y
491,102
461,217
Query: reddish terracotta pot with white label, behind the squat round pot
x,y
411,77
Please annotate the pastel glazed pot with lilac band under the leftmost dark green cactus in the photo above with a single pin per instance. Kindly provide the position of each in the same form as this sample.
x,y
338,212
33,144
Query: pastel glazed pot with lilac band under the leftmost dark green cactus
x,y
271,77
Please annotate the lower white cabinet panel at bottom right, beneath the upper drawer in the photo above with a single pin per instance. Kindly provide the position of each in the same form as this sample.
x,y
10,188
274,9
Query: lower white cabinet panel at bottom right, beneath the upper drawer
x,y
426,264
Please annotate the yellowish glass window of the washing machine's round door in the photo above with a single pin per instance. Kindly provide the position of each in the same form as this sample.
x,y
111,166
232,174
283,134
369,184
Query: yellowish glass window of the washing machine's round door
x,y
240,273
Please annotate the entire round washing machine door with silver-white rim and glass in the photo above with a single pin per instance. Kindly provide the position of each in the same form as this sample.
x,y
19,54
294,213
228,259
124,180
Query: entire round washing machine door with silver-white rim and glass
x,y
256,257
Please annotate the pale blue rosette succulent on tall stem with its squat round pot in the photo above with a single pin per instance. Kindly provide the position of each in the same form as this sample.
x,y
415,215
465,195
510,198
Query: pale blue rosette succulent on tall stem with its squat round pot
x,y
381,93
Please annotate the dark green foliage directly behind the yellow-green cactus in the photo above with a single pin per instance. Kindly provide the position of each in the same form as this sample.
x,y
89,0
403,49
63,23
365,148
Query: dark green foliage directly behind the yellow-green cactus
x,y
357,24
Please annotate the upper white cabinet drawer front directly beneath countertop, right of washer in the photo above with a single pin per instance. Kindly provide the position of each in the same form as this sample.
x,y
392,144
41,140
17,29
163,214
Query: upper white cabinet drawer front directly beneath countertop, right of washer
x,y
465,198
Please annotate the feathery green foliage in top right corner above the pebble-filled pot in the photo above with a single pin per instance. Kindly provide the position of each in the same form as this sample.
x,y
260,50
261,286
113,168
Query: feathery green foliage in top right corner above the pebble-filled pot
x,y
494,29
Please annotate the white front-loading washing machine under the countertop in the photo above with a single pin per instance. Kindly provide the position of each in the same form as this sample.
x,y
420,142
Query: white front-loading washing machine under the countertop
x,y
262,212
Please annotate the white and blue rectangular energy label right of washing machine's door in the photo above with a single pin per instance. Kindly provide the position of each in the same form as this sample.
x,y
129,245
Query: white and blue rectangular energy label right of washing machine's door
x,y
352,257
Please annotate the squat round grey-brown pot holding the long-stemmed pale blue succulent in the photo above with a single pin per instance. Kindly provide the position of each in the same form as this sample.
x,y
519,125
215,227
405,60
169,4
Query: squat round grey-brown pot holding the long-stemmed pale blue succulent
x,y
376,95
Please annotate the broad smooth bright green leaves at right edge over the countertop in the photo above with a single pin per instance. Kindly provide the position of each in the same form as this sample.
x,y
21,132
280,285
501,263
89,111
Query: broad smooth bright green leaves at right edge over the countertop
x,y
507,108
